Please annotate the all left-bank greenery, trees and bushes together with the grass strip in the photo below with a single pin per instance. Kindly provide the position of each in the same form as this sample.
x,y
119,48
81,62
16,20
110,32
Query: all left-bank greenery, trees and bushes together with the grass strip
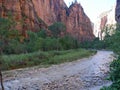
x,y
38,48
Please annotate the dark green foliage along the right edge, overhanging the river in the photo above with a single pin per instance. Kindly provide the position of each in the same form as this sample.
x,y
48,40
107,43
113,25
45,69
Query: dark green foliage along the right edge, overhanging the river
x,y
113,43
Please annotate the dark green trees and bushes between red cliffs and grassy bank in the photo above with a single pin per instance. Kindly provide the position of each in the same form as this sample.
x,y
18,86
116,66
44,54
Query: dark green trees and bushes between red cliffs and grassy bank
x,y
10,39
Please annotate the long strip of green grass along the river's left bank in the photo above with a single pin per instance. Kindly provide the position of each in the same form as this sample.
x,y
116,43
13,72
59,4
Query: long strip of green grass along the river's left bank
x,y
42,58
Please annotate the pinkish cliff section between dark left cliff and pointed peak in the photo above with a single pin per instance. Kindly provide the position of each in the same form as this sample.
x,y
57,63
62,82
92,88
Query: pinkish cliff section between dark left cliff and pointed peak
x,y
50,11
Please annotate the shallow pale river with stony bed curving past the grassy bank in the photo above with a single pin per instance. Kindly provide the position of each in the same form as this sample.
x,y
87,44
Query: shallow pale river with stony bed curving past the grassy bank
x,y
85,74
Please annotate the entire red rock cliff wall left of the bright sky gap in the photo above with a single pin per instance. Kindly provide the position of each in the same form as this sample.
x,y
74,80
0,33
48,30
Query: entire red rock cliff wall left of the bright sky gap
x,y
36,14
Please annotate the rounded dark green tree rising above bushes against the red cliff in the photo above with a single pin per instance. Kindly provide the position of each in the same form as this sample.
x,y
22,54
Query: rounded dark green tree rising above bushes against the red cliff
x,y
57,28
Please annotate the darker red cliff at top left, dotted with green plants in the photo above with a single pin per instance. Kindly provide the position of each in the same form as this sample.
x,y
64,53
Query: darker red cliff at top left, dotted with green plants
x,y
24,14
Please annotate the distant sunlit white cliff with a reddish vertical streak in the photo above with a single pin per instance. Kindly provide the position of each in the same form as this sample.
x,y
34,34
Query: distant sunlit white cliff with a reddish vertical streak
x,y
106,19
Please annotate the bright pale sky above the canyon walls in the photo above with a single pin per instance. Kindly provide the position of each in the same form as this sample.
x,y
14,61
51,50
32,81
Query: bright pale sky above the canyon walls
x,y
93,8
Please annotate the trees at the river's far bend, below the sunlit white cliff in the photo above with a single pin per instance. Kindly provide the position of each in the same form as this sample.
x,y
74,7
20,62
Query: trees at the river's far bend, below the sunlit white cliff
x,y
106,43
